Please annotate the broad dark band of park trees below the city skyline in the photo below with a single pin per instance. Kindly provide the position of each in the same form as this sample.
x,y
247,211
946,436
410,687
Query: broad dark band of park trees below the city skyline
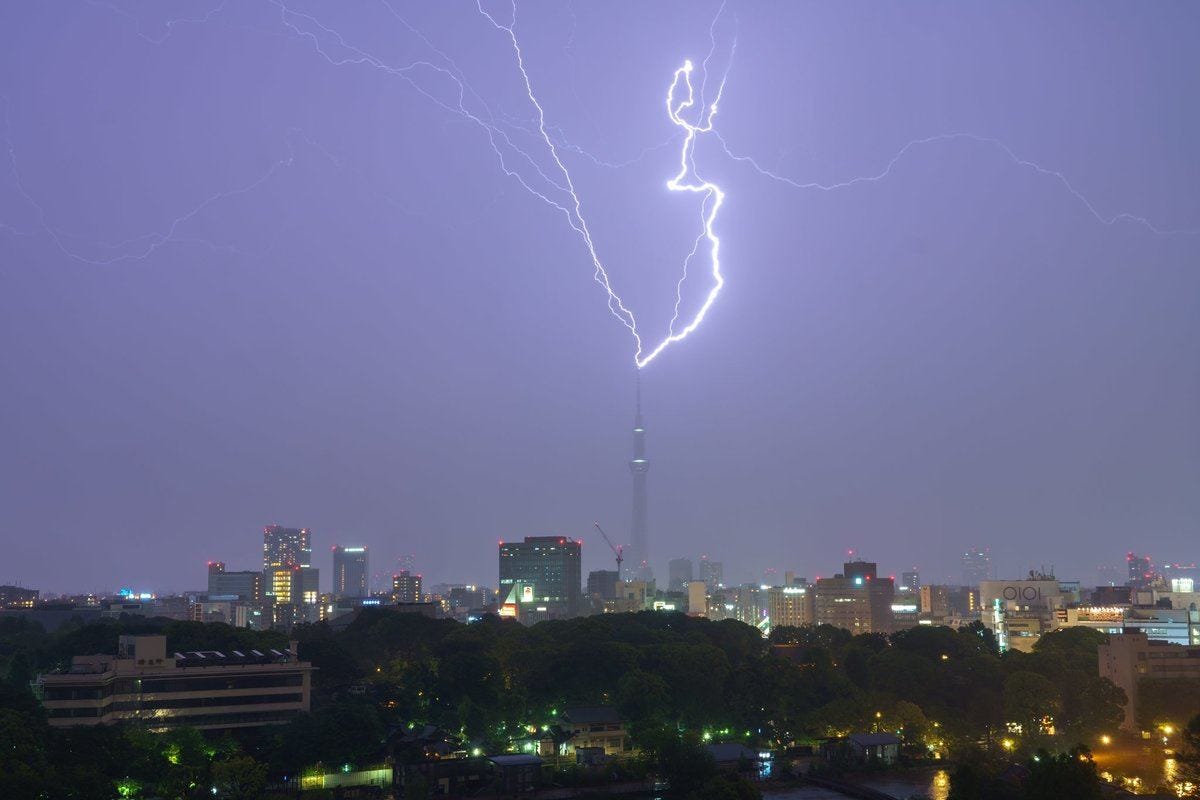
x,y
490,683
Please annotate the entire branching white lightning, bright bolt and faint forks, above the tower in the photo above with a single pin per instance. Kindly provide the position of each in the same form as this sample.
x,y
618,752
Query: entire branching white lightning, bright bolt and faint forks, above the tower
x,y
688,110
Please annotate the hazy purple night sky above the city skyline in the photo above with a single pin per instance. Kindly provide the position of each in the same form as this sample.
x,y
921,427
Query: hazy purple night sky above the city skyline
x,y
256,267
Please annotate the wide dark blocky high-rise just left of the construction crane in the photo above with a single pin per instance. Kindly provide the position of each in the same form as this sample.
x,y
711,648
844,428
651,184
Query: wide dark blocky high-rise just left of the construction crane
x,y
547,569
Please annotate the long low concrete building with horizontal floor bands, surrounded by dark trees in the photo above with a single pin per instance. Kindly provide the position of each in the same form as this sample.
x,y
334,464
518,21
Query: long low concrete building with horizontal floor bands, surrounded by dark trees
x,y
208,690
